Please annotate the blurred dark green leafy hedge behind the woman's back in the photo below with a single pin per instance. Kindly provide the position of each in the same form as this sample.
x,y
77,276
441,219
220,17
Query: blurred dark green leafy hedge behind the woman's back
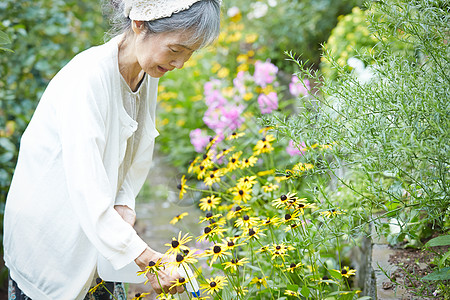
x,y
43,35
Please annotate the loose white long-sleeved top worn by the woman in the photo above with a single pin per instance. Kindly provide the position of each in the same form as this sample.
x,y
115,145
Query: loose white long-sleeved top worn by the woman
x,y
59,214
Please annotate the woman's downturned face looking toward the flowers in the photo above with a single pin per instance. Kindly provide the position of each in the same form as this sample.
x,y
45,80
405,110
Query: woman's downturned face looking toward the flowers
x,y
163,52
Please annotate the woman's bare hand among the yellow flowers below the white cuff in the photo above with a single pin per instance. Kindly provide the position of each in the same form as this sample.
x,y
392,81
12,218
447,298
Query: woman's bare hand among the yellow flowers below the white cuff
x,y
166,276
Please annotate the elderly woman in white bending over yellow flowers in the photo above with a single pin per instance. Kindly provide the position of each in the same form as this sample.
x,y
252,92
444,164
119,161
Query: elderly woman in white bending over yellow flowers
x,y
88,149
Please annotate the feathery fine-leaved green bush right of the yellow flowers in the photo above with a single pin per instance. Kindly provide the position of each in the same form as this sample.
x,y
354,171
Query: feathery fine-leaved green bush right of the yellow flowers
x,y
391,134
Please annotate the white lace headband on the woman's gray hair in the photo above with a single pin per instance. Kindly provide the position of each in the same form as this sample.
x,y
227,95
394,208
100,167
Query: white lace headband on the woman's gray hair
x,y
149,10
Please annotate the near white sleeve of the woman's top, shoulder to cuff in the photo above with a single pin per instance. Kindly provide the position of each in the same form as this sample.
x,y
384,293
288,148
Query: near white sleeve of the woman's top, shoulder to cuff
x,y
82,118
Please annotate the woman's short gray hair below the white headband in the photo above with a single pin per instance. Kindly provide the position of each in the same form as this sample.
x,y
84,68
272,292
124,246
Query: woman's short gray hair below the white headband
x,y
202,19
